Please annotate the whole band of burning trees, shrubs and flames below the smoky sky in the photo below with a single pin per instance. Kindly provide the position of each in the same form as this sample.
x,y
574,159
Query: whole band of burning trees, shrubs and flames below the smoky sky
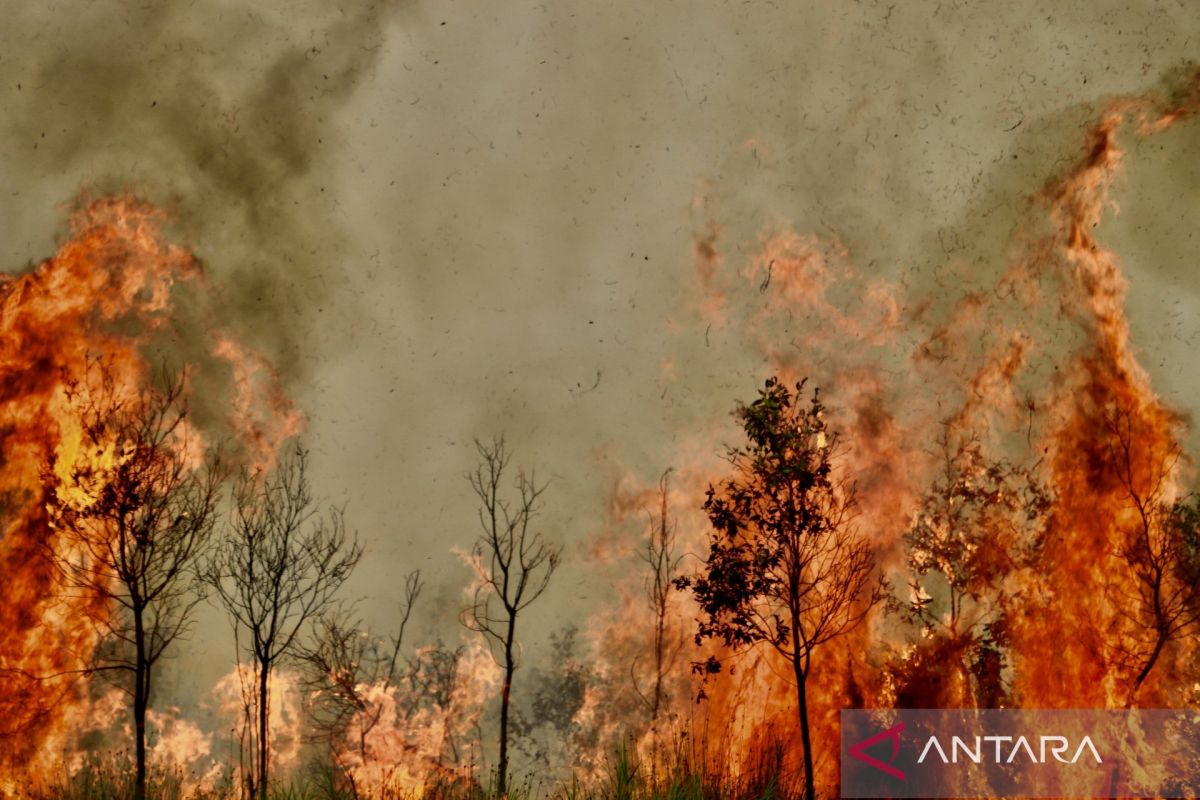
x,y
1033,543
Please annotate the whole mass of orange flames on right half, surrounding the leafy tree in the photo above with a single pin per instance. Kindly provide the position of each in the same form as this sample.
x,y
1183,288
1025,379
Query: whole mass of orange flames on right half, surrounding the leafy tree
x,y
1100,441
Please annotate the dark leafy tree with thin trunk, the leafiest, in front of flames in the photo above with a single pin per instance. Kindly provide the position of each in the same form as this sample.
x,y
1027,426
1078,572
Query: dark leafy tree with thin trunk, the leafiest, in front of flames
x,y
785,566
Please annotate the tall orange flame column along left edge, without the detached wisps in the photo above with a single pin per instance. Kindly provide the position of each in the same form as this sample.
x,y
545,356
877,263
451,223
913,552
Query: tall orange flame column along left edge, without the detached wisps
x,y
115,272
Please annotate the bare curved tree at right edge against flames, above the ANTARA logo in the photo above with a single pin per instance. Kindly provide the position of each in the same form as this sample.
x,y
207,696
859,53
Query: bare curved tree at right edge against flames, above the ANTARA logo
x,y
1160,548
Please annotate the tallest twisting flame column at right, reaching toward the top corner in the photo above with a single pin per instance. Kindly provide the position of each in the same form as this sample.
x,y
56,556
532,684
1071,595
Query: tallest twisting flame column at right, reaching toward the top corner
x,y
1105,407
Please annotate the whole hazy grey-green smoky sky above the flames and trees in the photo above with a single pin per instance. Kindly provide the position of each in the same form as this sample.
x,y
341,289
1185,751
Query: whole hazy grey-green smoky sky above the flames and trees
x,y
447,220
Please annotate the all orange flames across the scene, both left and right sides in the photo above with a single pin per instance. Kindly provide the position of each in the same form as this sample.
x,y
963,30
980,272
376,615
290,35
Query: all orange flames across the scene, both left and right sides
x,y
1096,621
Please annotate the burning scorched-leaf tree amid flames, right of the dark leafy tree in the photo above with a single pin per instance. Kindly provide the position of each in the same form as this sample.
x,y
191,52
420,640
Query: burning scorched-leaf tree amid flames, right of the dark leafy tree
x,y
976,530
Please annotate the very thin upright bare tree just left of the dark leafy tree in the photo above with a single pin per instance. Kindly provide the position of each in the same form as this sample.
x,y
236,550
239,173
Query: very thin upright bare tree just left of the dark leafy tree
x,y
664,562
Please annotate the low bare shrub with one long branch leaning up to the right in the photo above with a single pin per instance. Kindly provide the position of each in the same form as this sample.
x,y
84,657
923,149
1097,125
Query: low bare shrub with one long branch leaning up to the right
x,y
344,664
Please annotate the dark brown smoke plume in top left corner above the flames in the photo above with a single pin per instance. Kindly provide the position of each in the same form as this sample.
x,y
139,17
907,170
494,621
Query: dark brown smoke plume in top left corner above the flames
x,y
223,116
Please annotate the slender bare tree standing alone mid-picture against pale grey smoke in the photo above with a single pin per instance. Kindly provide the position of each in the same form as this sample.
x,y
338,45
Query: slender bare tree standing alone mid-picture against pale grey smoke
x,y
515,566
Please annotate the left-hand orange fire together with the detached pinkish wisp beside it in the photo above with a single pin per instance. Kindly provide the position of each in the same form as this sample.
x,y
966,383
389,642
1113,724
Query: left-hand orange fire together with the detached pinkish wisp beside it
x,y
105,298
